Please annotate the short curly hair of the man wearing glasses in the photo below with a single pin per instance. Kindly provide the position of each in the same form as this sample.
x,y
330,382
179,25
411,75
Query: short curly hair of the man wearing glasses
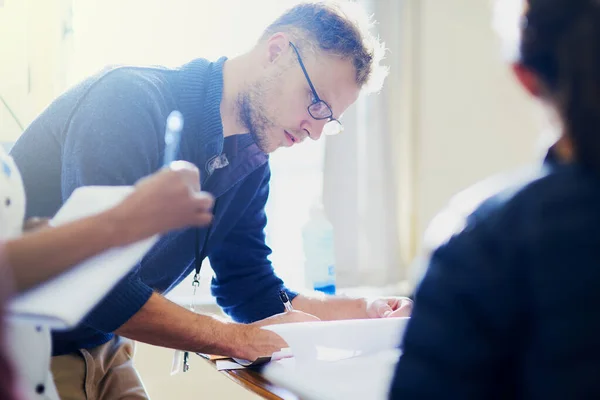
x,y
340,29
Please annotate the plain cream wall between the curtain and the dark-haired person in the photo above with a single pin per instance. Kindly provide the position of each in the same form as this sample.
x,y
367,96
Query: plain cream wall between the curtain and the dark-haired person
x,y
471,118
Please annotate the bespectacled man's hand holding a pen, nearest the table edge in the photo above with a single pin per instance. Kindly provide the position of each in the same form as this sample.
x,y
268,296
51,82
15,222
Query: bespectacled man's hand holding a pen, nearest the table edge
x,y
256,342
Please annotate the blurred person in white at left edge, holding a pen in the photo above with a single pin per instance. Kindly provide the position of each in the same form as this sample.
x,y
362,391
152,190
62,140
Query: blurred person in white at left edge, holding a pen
x,y
29,259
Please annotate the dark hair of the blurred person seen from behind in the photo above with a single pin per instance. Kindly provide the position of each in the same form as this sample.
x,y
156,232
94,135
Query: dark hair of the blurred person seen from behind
x,y
561,44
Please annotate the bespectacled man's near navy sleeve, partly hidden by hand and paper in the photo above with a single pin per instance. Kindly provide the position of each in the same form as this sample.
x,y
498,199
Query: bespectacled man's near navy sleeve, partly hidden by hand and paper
x,y
113,138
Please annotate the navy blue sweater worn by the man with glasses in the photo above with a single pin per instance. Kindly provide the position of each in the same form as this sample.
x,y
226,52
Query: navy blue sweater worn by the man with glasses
x,y
109,130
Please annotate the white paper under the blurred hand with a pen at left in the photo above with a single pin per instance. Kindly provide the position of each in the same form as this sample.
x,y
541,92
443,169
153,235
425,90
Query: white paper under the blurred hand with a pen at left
x,y
65,300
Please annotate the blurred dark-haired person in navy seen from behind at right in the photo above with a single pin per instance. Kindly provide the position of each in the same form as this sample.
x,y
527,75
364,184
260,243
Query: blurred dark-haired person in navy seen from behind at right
x,y
508,306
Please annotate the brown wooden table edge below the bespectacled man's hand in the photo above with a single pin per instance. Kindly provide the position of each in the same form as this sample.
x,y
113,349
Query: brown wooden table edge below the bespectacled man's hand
x,y
252,380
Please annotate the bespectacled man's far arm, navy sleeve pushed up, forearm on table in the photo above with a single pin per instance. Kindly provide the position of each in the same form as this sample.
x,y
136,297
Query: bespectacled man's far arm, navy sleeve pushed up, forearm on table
x,y
247,288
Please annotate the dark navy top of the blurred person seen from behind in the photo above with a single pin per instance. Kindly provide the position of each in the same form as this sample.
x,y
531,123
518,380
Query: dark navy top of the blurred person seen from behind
x,y
508,308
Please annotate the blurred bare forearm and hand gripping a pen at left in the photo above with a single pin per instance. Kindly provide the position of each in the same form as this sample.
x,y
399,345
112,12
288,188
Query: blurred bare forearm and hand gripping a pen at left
x,y
45,253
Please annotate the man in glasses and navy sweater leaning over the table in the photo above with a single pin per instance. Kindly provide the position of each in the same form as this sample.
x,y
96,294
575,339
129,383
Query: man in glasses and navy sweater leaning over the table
x,y
308,67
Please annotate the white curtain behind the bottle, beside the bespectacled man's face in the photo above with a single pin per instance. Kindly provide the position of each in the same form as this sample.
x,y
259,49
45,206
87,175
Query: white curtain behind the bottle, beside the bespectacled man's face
x,y
362,179
